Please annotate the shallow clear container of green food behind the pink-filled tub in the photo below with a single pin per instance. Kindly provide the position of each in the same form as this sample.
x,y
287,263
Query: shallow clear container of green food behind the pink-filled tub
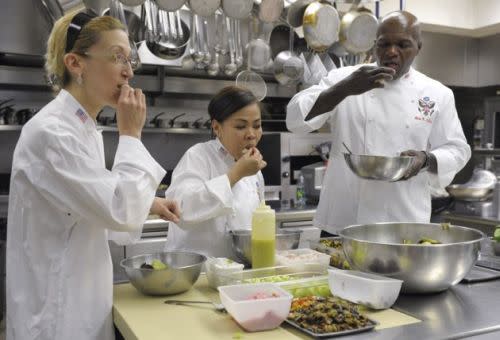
x,y
274,274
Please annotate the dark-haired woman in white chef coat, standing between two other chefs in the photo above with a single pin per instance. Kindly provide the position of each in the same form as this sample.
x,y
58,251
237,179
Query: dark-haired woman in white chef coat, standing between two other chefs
x,y
217,183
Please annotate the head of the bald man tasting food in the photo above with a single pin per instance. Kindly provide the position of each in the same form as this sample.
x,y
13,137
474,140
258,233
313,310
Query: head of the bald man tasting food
x,y
398,41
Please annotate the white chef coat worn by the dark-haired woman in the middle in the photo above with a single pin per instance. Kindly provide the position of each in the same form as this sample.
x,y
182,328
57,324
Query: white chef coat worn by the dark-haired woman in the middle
x,y
210,208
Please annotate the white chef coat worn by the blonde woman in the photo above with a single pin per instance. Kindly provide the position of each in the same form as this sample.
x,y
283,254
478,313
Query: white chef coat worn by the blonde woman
x,y
62,203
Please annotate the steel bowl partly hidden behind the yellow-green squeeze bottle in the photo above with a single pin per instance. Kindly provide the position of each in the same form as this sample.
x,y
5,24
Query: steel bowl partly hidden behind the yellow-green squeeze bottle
x,y
242,242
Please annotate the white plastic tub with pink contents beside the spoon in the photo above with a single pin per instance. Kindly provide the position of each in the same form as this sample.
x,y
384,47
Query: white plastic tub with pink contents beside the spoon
x,y
256,307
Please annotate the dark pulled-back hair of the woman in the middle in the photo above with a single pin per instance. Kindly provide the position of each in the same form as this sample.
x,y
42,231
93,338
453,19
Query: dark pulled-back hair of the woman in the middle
x,y
229,100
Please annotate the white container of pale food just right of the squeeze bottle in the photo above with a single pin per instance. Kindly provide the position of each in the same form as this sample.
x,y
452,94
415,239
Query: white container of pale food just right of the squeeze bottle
x,y
300,258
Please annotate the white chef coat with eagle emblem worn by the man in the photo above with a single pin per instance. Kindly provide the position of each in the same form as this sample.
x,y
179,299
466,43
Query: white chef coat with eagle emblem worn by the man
x,y
412,112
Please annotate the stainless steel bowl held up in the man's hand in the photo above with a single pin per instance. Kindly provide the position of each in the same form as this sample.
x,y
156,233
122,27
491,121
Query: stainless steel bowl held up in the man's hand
x,y
379,168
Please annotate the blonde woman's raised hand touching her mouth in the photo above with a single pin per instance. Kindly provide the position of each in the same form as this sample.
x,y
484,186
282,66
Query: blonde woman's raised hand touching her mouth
x,y
131,111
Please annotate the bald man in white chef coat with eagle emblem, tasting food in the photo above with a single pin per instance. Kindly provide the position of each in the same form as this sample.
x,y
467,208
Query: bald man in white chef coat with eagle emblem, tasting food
x,y
387,108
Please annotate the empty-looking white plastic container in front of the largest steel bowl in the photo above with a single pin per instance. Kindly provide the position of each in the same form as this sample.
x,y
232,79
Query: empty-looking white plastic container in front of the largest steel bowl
x,y
374,291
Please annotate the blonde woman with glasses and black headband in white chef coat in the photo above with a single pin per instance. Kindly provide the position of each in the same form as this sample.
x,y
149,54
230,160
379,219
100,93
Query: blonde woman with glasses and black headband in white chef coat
x,y
63,202
